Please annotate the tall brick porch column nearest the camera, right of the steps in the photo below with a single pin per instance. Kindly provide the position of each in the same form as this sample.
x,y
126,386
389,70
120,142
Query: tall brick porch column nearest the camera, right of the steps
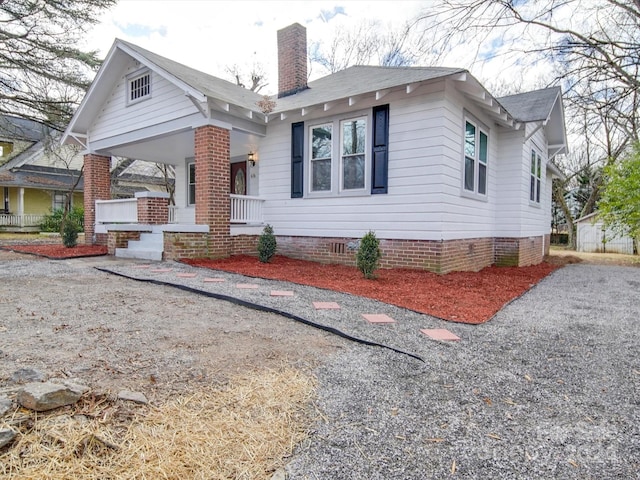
x,y
213,204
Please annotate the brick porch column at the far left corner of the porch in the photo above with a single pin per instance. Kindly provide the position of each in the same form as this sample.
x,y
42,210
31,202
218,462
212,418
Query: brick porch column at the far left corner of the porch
x,y
97,186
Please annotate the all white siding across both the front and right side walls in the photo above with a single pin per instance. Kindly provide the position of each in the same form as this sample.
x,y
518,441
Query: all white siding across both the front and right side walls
x,y
425,199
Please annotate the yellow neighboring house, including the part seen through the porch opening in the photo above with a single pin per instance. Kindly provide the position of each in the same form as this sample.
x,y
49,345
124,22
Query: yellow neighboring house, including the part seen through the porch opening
x,y
36,174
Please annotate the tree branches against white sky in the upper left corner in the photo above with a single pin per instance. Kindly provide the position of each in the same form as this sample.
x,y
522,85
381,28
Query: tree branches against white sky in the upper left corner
x,y
43,74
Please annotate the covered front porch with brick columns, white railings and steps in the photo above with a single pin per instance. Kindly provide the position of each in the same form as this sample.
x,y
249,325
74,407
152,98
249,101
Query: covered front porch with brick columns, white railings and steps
x,y
214,215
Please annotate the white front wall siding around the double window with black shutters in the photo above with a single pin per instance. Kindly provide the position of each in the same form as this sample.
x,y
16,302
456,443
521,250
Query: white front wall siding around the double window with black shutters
x,y
412,208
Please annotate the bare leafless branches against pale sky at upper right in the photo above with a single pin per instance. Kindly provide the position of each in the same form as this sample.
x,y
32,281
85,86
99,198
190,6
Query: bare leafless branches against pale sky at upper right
x,y
590,48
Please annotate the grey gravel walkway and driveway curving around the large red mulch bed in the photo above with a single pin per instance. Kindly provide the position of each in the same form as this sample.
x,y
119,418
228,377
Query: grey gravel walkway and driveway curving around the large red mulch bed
x,y
549,388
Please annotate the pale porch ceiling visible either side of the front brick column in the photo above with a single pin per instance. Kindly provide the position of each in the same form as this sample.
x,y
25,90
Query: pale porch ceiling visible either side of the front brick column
x,y
174,148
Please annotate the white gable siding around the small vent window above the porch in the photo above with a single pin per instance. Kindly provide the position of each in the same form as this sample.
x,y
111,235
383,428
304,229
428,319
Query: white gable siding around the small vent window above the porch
x,y
167,102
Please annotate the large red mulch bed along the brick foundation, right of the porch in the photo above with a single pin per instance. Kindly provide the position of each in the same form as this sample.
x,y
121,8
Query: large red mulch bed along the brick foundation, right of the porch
x,y
466,297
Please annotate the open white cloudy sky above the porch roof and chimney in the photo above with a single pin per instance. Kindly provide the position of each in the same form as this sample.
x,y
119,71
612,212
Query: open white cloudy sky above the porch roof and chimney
x,y
213,35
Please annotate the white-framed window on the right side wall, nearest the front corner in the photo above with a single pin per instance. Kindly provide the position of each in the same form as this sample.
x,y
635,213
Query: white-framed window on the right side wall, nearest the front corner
x,y
476,158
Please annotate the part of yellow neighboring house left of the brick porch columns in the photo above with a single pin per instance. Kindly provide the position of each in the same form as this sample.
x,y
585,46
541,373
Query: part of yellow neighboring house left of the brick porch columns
x,y
34,179
